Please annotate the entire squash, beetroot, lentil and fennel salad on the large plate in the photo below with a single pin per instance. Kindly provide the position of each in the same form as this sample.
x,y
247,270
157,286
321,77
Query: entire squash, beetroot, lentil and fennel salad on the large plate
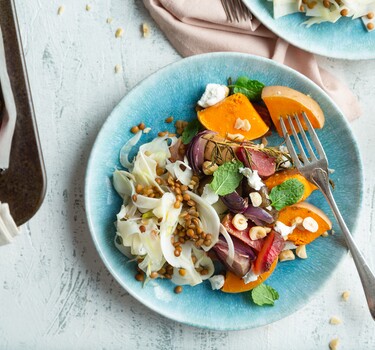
x,y
214,200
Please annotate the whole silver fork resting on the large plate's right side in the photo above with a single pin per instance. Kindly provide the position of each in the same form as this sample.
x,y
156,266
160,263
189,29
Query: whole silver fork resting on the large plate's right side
x,y
315,169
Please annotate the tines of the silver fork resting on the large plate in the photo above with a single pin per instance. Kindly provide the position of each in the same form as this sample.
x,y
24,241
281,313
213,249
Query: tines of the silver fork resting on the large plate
x,y
310,156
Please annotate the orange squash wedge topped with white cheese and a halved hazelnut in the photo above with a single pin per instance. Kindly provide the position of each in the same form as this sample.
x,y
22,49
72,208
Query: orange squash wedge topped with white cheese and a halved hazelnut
x,y
303,210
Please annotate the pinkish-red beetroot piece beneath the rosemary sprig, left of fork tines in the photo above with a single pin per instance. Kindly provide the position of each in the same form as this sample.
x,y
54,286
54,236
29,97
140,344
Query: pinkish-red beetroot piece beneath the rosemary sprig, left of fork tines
x,y
265,164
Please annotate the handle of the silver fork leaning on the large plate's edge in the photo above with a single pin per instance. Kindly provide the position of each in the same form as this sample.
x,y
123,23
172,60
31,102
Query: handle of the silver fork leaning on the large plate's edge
x,y
320,178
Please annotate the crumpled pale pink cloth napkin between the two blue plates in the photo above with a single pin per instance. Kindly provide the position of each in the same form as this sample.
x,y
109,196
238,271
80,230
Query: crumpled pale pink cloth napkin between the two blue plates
x,y
199,26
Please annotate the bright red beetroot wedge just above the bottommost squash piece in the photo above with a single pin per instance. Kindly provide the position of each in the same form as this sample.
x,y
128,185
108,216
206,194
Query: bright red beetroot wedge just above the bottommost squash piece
x,y
273,245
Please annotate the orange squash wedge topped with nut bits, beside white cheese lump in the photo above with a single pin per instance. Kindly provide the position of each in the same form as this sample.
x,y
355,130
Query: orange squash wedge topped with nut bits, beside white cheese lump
x,y
223,117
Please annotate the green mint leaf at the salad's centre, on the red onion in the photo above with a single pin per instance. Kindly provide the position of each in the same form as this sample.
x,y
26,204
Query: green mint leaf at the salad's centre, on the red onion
x,y
227,178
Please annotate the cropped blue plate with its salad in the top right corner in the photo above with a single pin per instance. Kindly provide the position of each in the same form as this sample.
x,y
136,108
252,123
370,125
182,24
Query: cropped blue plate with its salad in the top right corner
x,y
338,29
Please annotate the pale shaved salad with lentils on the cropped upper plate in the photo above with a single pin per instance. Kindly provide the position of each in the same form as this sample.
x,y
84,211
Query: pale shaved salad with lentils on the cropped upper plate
x,y
319,11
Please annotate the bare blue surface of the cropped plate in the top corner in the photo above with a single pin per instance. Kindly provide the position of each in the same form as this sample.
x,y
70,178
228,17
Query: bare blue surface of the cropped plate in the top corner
x,y
346,39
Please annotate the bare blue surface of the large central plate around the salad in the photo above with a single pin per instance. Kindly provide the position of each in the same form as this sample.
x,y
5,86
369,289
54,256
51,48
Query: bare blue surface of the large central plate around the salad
x,y
174,90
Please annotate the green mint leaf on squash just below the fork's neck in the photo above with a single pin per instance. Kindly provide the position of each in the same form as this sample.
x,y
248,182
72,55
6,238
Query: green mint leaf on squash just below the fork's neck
x,y
287,193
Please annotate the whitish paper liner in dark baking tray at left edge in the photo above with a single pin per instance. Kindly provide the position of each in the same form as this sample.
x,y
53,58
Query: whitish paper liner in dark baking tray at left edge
x,y
9,114
